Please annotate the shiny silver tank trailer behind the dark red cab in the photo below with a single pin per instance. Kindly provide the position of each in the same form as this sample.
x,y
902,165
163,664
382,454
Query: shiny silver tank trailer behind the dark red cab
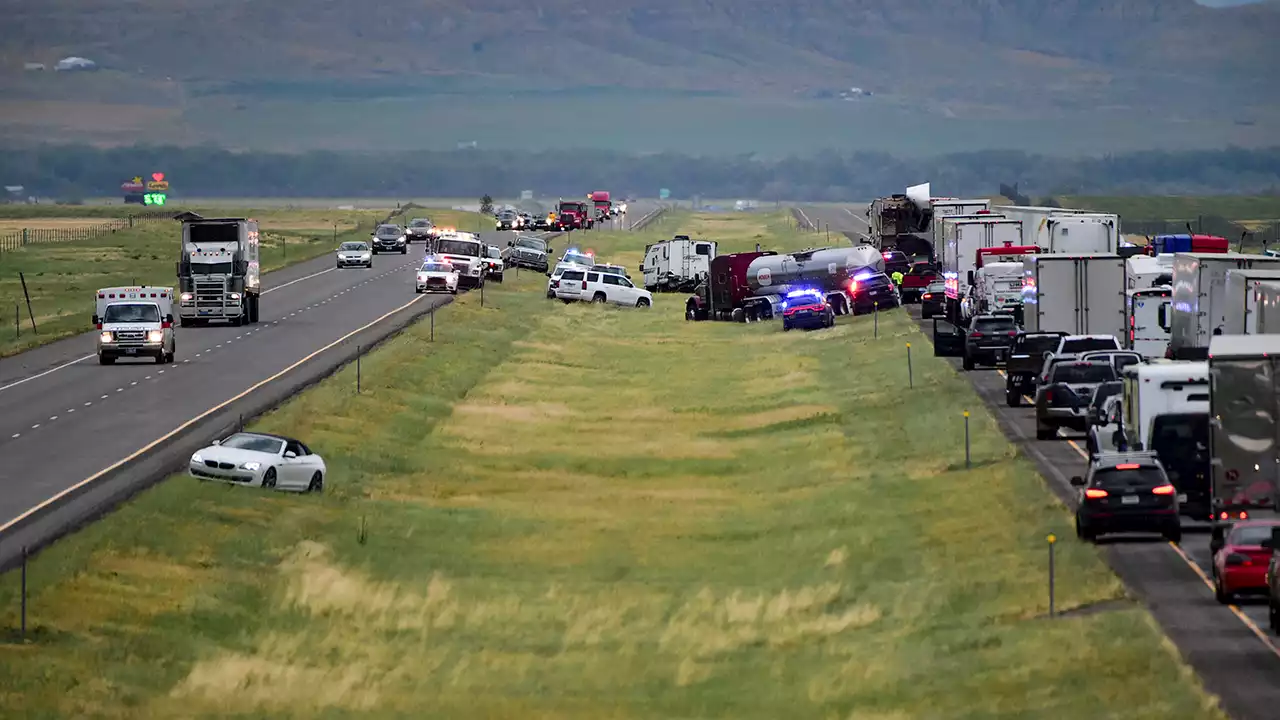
x,y
828,270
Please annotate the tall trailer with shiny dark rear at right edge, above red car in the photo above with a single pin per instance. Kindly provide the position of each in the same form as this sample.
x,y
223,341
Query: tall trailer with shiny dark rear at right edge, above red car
x,y
1245,372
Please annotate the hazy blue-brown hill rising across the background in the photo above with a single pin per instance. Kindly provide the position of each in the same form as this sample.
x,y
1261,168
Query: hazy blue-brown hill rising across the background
x,y
962,60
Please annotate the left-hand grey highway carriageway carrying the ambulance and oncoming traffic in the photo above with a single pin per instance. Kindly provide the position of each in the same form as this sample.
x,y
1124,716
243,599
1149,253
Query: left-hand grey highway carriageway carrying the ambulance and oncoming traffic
x,y
66,421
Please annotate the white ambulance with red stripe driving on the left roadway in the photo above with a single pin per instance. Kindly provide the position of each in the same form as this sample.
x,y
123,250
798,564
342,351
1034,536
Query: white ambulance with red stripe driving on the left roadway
x,y
135,322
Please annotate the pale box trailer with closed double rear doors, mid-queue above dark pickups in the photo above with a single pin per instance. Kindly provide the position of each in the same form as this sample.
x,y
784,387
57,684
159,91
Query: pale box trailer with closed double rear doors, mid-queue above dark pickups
x,y
1075,294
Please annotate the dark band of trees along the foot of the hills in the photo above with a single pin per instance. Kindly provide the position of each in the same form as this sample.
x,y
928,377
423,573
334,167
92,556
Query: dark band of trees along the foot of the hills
x,y
81,171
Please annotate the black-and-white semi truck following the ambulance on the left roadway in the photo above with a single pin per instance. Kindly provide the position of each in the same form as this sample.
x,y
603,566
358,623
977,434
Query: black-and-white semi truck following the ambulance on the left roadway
x,y
218,271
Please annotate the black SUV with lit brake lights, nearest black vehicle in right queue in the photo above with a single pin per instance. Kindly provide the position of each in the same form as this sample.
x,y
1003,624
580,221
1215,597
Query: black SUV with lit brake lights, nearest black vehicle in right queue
x,y
1127,493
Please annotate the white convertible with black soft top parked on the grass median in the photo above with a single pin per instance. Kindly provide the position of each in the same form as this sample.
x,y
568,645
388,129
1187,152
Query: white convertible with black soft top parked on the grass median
x,y
260,461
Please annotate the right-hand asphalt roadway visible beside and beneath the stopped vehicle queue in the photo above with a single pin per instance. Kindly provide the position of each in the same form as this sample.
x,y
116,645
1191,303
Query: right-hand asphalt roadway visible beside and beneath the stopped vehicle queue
x,y
1229,646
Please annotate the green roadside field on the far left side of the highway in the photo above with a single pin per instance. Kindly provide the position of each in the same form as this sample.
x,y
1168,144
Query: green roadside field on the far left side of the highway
x,y
63,276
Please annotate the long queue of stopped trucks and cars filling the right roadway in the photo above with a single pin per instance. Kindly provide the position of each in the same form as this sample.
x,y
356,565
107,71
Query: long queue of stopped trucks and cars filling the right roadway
x,y
1156,358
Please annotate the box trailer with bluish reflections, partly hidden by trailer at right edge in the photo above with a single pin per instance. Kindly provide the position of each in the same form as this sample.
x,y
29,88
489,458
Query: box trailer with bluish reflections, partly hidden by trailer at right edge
x,y
1200,298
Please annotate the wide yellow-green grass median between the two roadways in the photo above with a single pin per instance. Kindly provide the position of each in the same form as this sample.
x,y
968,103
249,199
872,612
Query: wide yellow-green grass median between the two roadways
x,y
583,512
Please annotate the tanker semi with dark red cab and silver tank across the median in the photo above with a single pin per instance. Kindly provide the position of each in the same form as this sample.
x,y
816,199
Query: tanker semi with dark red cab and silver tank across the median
x,y
748,286
